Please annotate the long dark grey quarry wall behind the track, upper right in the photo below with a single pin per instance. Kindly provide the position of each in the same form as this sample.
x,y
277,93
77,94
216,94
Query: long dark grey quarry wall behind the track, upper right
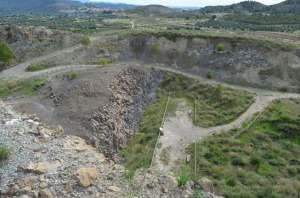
x,y
241,62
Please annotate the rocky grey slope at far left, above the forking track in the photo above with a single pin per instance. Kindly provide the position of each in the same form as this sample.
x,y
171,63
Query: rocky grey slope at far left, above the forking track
x,y
30,42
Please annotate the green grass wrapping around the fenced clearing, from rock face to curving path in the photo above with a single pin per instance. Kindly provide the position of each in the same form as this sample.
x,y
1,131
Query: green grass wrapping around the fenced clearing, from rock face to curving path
x,y
215,105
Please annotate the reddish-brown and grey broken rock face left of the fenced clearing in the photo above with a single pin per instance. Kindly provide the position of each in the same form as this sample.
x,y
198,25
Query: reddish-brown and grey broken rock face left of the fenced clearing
x,y
114,123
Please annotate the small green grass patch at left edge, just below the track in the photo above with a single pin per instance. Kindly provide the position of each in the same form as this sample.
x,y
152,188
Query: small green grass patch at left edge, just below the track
x,y
26,87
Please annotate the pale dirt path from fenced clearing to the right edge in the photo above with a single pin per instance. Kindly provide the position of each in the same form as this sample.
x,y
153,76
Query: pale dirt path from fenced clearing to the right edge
x,y
179,131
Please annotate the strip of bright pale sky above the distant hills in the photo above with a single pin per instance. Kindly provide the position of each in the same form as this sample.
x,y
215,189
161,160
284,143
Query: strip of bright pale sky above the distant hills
x,y
193,3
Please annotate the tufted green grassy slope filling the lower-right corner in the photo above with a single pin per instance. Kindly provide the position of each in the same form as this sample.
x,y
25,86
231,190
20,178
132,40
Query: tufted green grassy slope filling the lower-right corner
x,y
264,161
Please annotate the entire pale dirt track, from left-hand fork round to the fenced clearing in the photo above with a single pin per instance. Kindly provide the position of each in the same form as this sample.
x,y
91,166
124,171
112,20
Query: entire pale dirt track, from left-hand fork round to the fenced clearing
x,y
178,130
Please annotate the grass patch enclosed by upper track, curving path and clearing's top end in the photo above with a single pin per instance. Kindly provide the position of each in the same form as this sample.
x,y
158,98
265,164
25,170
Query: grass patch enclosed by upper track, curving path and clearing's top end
x,y
215,104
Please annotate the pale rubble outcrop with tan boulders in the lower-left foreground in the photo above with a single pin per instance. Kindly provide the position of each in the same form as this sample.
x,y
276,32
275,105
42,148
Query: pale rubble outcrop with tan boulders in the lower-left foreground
x,y
53,166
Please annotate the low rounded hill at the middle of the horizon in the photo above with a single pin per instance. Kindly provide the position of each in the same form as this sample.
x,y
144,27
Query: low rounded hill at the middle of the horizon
x,y
151,10
